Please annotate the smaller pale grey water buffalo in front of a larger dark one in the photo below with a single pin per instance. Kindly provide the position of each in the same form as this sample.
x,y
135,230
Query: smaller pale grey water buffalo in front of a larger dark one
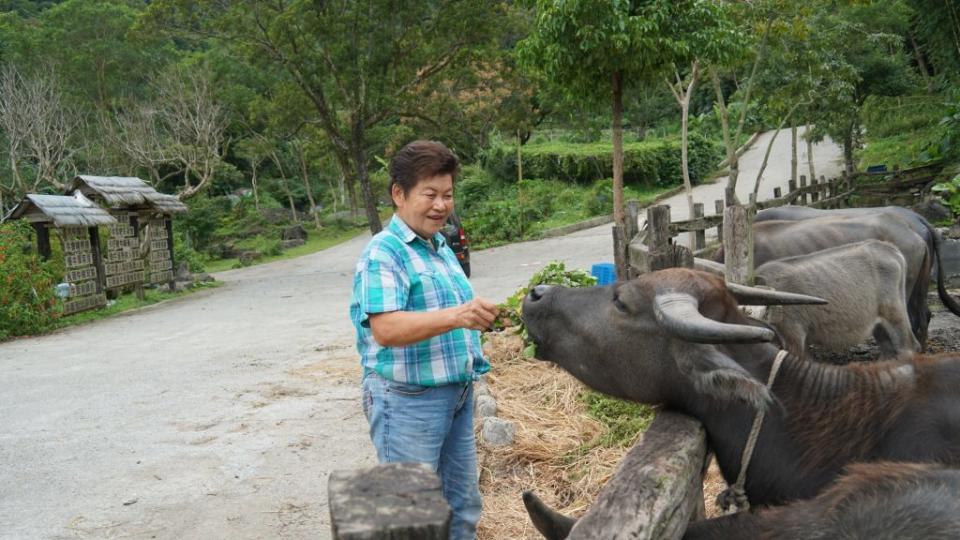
x,y
864,286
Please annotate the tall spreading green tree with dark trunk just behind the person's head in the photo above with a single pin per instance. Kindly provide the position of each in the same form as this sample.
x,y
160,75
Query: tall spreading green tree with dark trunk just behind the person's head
x,y
358,63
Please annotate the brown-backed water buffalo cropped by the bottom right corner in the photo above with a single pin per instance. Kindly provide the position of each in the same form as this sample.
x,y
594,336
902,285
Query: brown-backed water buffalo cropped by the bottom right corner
x,y
879,501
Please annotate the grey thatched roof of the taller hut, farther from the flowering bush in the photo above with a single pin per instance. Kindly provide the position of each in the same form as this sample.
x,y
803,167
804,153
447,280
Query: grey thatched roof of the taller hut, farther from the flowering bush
x,y
126,193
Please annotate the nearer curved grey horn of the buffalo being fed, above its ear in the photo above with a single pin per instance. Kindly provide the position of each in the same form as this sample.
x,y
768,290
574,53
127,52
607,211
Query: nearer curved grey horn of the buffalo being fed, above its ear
x,y
677,313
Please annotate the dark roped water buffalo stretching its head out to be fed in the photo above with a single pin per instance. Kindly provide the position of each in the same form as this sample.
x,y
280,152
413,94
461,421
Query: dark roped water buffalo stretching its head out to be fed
x,y
677,337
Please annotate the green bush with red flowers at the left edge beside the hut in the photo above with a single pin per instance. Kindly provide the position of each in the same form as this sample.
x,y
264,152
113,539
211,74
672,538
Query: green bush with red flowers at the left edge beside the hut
x,y
27,303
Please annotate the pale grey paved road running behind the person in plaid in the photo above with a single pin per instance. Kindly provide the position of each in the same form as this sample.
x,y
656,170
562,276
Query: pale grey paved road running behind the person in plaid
x,y
216,415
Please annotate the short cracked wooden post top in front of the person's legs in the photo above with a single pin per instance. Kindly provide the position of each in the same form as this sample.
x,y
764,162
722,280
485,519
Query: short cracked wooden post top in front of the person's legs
x,y
396,501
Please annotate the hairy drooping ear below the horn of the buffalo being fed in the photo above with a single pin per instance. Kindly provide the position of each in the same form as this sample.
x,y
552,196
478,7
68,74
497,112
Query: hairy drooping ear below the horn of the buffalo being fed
x,y
716,374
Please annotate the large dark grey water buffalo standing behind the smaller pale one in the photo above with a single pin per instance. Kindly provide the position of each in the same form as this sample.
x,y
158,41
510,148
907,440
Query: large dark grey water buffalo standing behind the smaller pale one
x,y
775,237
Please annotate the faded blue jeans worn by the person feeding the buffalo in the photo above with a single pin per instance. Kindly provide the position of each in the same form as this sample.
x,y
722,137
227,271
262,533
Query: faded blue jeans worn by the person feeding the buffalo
x,y
432,425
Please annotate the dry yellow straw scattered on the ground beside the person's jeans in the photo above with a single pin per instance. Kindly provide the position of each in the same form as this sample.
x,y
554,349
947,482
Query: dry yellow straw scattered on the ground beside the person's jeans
x,y
555,451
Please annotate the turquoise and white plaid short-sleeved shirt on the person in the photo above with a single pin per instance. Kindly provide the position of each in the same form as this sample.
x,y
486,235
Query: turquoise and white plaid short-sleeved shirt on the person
x,y
400,271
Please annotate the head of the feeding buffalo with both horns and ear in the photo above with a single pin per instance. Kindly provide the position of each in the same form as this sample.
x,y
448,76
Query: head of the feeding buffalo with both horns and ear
x,y
650,338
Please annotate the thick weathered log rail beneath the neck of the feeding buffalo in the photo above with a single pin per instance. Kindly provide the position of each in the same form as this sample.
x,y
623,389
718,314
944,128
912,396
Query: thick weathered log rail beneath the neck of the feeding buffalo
x,y
657,488
